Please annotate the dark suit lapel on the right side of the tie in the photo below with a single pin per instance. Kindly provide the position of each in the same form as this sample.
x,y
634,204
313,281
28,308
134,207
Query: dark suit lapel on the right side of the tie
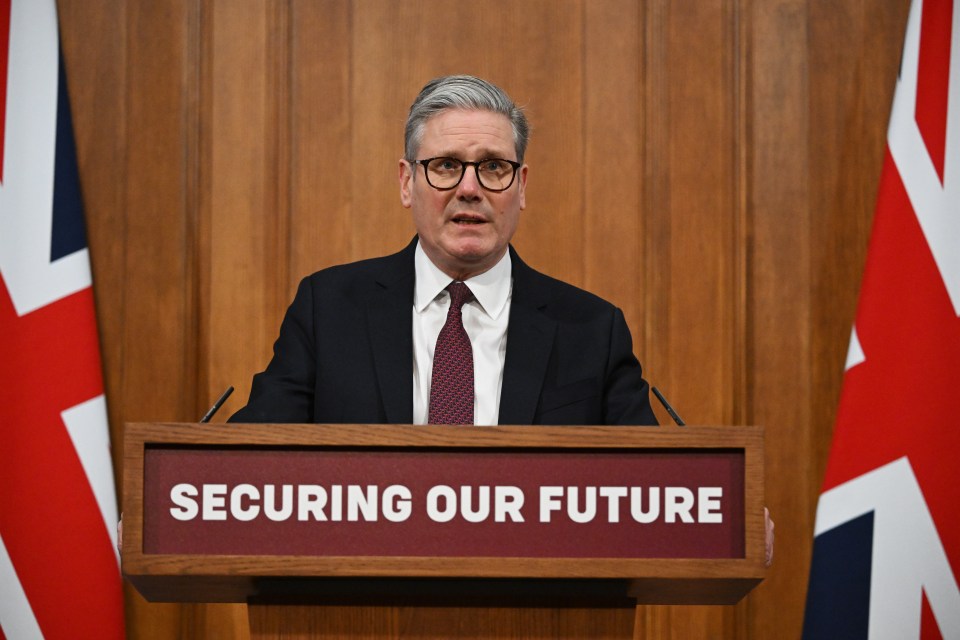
x,y
530,337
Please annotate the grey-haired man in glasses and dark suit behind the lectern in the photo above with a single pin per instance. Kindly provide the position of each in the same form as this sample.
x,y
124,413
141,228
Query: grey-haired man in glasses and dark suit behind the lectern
x,y
359,343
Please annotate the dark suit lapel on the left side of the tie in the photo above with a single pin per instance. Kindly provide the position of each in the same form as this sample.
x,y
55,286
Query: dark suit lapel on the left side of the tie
x,y
390,323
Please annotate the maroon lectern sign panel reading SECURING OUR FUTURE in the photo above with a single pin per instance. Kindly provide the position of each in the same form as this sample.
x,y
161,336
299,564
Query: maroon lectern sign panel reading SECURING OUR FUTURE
x,y
593,504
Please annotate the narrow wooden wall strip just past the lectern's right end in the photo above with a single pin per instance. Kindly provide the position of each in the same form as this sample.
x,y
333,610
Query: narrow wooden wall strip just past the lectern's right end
x,y
781,369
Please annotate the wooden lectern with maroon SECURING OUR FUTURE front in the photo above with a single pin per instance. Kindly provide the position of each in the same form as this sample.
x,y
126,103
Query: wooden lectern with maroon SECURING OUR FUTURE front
x,y
399,531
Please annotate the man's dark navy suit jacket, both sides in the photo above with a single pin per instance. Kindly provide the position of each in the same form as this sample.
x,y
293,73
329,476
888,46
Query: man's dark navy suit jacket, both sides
x,y
345,353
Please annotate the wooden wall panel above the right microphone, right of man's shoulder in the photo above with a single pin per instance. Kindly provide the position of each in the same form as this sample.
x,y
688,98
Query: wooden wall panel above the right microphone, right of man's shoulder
x,y
693,242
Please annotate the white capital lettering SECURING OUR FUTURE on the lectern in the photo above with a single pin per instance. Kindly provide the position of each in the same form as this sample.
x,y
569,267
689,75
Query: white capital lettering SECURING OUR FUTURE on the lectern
x,y
443,503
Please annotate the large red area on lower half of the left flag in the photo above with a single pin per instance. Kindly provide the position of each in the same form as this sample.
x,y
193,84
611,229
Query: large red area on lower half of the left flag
x,y
60,547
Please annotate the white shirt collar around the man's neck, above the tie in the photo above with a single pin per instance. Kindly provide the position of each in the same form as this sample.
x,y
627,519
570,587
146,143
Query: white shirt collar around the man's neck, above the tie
x,y
491,288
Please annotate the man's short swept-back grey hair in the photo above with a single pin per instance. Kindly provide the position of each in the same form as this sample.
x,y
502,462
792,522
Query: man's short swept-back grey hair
x,y
462,92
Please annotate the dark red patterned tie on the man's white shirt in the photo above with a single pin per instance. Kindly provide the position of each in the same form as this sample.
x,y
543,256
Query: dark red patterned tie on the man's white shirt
x,y
451,388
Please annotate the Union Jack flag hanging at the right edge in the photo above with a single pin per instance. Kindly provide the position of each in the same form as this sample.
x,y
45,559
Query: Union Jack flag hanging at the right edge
x,y
887,544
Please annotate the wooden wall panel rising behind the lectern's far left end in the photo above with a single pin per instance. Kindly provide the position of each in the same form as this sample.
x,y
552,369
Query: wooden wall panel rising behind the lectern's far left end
x,y
159,330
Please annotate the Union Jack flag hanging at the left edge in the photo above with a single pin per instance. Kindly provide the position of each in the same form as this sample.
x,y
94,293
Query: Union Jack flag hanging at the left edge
x,y
59,573
